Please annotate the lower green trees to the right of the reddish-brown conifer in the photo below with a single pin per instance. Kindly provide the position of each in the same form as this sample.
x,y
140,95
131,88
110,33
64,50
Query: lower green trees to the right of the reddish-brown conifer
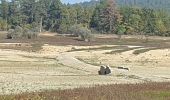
x,y
145,21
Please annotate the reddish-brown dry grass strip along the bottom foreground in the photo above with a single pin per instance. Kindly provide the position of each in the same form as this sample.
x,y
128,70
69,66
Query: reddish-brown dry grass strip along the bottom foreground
x,y
145,91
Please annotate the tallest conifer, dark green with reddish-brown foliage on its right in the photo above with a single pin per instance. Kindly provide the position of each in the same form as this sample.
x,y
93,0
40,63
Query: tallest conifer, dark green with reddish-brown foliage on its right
x,y
105,16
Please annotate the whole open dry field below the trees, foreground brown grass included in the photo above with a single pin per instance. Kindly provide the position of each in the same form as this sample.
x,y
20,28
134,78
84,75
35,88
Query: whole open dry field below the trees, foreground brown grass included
x,y
57,63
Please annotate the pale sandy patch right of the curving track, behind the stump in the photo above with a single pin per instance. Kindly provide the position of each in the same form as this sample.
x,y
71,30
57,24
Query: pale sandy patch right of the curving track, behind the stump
x,y
152,65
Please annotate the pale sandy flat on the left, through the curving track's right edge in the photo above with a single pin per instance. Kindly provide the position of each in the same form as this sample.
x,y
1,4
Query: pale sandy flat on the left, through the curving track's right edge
x,y
27,72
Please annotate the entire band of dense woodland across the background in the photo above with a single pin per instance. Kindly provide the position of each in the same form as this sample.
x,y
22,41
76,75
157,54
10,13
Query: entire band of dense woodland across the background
x,y
146,17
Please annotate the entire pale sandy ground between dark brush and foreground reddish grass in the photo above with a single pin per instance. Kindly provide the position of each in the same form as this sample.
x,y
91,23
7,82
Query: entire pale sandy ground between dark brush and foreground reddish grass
x,y
54,68
